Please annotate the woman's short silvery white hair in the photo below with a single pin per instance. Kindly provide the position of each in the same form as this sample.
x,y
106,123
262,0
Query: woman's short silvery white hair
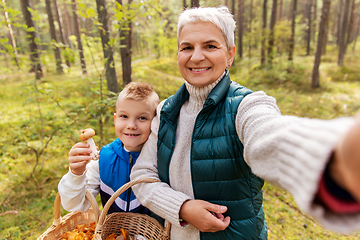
x,y
219,16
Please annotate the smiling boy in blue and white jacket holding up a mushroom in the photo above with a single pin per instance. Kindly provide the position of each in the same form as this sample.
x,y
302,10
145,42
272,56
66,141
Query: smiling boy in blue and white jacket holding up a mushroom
x,y
135,108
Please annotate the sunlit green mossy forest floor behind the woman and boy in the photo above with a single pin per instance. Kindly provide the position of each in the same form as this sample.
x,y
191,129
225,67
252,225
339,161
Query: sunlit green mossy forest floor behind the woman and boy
x,y
71,101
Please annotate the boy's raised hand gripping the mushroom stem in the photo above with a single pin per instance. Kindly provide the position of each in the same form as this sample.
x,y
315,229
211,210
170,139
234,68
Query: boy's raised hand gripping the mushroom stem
x,y
79,156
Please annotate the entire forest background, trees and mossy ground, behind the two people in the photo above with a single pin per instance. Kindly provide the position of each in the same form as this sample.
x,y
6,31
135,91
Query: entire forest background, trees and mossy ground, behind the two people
x,y
63,61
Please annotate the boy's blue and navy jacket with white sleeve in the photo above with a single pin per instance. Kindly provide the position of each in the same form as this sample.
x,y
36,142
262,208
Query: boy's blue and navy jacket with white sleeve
x,y
103,176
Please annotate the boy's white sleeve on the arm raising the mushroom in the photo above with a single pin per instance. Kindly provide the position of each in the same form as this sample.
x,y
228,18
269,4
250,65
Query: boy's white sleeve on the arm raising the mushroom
x,y
72,187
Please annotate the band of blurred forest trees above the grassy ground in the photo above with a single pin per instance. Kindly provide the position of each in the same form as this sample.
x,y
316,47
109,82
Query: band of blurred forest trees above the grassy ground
x,y
126,30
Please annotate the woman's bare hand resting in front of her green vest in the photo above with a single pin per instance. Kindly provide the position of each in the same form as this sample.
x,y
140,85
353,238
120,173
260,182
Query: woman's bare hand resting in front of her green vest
x,y
205,216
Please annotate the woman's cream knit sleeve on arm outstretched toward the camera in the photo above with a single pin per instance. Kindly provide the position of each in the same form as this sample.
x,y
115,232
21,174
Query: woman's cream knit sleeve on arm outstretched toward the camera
x,y
292,153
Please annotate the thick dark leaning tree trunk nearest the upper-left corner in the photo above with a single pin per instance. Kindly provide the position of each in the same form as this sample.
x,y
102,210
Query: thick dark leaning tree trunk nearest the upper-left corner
x,y
31,37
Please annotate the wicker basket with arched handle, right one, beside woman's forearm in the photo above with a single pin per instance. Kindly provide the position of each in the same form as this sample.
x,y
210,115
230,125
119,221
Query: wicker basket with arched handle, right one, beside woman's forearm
x,y
134,223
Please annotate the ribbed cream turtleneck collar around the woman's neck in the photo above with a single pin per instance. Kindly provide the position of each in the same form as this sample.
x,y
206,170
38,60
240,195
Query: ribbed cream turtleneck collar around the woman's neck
x,y
198,95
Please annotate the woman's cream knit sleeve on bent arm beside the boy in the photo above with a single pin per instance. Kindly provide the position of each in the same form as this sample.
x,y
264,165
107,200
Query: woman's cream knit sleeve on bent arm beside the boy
x,y
158,197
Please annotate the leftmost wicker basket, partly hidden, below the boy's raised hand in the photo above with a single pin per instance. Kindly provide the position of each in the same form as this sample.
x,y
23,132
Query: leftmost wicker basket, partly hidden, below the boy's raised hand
x,y
70,220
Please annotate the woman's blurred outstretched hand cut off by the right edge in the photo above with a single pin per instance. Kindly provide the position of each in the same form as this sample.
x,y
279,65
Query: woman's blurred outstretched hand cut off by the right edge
x,y
345,166
